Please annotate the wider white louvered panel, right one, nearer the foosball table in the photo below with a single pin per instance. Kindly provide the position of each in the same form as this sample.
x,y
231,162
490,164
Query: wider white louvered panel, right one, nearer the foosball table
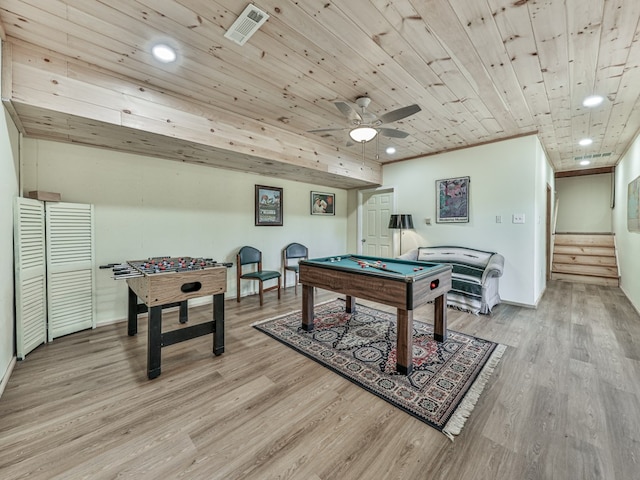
x,y
70,268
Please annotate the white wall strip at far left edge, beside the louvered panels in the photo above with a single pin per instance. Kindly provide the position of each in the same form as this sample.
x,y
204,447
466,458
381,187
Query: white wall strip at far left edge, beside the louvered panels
x,y
9,153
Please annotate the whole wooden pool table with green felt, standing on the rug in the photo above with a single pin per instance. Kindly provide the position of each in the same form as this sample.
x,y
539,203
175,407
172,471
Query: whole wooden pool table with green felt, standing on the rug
x,y
398,283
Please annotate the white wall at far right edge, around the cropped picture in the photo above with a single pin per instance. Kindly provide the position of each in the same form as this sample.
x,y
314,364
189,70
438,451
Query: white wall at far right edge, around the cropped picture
x,y
628,243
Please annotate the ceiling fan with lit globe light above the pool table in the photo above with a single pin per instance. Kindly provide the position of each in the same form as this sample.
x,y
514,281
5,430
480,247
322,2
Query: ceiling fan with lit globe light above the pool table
x,y
365,126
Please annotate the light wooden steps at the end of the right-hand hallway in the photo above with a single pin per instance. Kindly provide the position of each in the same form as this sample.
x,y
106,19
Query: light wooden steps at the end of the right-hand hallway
x,y
585,258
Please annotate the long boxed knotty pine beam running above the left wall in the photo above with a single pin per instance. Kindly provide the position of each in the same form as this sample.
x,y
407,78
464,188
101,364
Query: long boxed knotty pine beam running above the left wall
x,y
160,118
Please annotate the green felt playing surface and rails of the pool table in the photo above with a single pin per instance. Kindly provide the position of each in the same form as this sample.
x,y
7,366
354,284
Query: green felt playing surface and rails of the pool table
x,y
392,267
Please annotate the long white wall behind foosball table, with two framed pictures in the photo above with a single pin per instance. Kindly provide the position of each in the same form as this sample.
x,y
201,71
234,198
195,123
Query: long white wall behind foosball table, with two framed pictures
x,y
150,207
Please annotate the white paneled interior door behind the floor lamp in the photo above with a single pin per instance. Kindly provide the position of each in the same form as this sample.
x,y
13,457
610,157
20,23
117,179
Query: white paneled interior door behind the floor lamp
x,y
376,239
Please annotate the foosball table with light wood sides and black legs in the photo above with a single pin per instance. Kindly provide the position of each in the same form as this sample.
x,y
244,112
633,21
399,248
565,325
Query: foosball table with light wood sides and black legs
x,y
164,282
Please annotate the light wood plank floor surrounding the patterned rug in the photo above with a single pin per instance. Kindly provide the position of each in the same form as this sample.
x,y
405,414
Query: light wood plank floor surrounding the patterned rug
x,y
564,403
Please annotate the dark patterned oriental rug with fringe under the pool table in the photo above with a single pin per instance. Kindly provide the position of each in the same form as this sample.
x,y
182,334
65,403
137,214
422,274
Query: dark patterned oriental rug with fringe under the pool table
x,y
447,378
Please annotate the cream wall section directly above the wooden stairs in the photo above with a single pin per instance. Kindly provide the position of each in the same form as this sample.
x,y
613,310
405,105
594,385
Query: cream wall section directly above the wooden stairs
x,y
584,204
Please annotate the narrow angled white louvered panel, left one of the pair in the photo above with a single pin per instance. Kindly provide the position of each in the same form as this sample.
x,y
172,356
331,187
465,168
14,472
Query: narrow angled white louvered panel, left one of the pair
x,y
30,275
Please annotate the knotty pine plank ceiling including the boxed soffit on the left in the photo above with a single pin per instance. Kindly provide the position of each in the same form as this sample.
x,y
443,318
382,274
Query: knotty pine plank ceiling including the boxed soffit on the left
x,y
481,70
